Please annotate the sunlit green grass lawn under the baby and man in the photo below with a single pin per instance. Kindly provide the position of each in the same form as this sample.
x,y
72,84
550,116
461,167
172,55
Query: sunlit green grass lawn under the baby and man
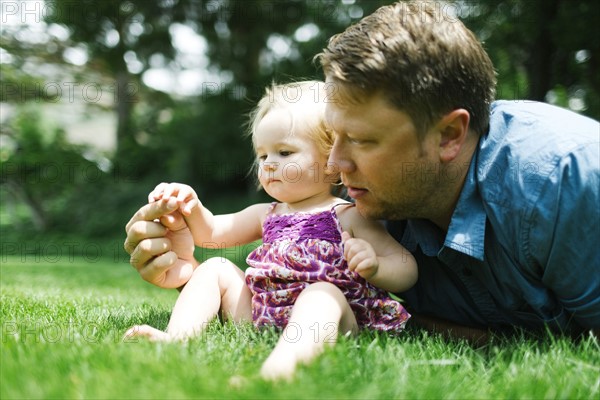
x,y
63,319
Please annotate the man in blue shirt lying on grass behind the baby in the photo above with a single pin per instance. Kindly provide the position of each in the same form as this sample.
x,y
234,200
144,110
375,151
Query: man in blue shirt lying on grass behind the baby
x,y
498,201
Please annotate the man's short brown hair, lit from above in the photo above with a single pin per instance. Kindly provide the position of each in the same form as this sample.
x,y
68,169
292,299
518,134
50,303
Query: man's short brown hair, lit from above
x,y
423,60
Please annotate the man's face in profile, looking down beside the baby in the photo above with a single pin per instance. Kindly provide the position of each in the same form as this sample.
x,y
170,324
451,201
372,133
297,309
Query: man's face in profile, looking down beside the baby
x,y
388,170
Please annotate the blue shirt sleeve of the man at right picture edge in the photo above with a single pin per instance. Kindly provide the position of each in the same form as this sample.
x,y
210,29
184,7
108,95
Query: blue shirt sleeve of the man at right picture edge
x,y
563,231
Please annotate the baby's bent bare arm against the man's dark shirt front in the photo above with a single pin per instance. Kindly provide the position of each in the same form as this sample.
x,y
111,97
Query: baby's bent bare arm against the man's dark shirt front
x,y
375,255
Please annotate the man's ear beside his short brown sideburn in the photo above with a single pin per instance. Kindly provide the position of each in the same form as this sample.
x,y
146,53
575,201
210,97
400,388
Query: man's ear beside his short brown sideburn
x,y
454,129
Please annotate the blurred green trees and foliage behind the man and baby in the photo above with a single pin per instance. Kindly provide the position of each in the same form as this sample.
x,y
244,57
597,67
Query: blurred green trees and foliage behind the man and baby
x,y
543,50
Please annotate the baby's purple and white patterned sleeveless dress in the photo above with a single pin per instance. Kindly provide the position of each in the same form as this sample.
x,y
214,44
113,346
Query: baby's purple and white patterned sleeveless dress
x,y
302,248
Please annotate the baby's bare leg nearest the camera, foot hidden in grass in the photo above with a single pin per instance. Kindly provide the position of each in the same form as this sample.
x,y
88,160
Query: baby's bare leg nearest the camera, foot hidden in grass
x,y
321,312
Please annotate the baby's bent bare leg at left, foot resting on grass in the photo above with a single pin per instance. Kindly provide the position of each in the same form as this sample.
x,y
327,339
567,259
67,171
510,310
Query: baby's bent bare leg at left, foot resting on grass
x,y
216,285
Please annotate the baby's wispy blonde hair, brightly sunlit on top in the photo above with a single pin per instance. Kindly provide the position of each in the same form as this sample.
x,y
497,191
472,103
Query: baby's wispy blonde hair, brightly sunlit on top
x,y
296,97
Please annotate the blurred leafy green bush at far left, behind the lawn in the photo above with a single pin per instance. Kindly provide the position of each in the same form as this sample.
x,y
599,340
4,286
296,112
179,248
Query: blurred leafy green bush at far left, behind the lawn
x,y
48,185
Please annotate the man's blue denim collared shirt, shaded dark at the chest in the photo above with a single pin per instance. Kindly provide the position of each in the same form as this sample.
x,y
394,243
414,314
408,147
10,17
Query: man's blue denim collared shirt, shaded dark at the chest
x,y
522,248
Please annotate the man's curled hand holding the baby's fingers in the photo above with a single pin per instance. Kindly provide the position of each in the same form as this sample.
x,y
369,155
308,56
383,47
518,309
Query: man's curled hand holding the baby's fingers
x,y
161,245
